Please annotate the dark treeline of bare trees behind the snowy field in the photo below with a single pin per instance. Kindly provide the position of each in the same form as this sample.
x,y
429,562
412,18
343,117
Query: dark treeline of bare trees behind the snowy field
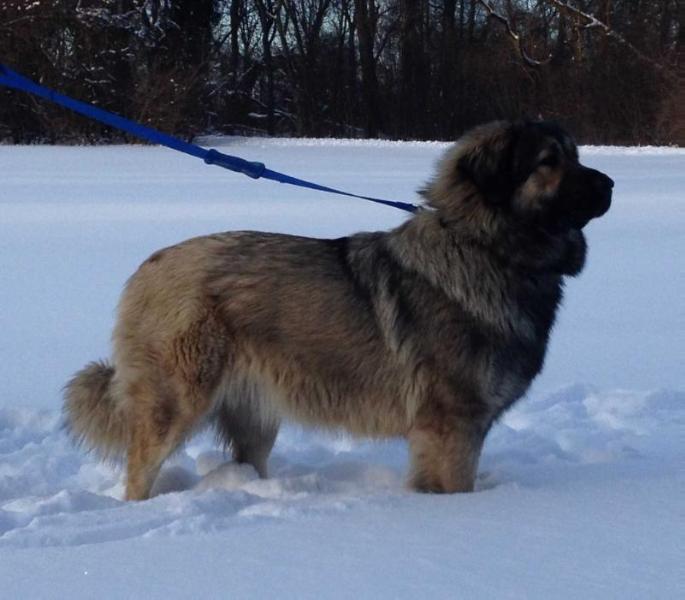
x,y
416,69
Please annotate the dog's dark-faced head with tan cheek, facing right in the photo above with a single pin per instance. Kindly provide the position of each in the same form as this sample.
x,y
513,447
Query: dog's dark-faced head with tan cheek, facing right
x,y
528,171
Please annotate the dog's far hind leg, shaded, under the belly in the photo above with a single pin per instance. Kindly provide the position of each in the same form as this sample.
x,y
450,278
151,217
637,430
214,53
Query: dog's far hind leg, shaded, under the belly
x,y
248,427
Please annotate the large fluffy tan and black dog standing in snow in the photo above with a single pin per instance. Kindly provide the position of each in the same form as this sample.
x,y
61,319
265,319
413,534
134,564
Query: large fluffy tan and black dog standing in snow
x,y
428,331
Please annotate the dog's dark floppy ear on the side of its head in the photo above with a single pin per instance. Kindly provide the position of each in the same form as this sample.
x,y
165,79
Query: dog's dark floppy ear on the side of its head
x,y
487,163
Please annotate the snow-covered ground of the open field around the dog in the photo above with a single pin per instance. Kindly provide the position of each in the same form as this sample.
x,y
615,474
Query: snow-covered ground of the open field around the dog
x,y
582,486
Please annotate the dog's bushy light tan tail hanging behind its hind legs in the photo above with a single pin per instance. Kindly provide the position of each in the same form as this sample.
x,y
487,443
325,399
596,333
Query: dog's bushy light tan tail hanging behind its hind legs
x,y
91,413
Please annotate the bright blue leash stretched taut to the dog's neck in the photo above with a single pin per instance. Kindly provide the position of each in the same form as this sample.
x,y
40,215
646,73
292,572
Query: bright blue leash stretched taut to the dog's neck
x,y
256,170
